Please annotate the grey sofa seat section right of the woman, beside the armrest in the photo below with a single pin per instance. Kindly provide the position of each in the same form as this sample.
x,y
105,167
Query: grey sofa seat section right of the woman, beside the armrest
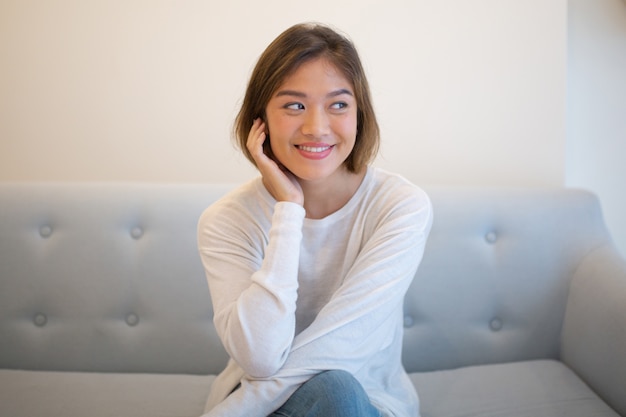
x,y
543,388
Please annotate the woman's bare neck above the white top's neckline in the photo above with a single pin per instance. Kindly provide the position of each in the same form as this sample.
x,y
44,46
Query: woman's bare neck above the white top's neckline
x,y
323,198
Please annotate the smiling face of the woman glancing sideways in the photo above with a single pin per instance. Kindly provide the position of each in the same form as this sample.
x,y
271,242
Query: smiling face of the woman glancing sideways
x,y
312,121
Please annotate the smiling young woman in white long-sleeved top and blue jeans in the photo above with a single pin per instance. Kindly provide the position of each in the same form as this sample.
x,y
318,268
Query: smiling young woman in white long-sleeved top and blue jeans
x,y
308,264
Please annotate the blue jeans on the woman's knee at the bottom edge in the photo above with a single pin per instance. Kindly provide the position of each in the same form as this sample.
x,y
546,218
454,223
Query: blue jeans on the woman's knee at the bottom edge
x,y
329,394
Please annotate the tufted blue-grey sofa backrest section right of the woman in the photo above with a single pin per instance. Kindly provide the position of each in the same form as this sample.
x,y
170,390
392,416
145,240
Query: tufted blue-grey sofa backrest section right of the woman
x,y
494,281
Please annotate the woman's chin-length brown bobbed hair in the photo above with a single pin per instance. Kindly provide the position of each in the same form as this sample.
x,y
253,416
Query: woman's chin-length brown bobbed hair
x,y
295,46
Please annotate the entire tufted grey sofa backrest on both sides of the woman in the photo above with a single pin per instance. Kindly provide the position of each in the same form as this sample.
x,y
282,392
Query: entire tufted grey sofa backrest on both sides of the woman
x,y
106,277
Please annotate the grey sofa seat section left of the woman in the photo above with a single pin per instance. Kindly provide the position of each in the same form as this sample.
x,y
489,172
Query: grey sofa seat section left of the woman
x,y
76,394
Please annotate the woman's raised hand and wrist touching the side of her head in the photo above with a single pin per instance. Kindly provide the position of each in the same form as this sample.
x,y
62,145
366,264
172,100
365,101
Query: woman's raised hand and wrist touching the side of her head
x,y
280,183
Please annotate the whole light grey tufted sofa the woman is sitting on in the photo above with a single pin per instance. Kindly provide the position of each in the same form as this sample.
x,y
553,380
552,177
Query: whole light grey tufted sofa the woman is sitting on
x,y
518,308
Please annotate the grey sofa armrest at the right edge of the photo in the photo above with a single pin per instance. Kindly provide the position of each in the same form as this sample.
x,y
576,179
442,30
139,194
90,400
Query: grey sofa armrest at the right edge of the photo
x,y
594,331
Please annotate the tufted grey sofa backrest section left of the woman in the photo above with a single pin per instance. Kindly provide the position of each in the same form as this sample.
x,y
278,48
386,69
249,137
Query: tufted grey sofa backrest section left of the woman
x,y
105,278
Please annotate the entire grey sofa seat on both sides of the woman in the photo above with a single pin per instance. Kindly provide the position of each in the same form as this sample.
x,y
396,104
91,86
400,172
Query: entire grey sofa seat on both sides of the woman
x,y
545,388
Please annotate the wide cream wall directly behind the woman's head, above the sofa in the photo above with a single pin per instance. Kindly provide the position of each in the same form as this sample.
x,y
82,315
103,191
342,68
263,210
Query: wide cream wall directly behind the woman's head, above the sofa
x,y
145,90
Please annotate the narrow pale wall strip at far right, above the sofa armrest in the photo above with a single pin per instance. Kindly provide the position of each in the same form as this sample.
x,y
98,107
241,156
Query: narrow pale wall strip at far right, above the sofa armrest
x,y
596,120
